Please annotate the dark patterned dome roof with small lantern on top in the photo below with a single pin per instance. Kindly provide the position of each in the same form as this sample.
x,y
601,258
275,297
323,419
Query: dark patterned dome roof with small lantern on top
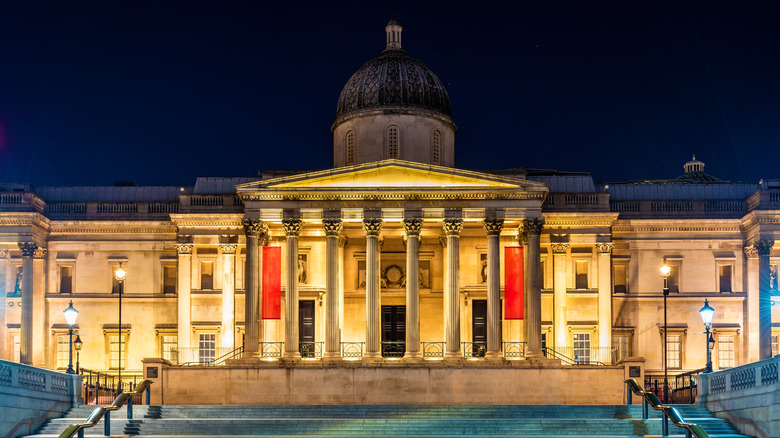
x,y
394,82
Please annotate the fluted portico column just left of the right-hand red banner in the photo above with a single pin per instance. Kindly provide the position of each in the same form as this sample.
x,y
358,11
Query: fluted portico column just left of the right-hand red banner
x,y
493,227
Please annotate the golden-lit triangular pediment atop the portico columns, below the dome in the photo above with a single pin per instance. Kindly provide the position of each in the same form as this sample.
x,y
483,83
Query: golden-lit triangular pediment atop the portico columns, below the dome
x,y
391,174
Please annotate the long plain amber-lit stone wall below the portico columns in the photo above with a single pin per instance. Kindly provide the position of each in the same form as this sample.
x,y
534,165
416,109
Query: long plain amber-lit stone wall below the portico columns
x,y
388,383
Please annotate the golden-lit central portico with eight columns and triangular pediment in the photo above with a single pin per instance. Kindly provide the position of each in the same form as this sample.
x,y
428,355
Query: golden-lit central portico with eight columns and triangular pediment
x,y
399,221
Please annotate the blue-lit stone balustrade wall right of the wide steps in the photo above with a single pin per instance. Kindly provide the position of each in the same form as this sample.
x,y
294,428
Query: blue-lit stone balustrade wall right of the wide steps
x,y
748,396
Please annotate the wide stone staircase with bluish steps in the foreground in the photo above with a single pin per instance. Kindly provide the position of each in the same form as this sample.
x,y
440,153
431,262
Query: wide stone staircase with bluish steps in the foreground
x,y
524,421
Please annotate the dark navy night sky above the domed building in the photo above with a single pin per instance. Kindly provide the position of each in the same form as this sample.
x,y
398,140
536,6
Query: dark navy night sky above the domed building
x,y
163,92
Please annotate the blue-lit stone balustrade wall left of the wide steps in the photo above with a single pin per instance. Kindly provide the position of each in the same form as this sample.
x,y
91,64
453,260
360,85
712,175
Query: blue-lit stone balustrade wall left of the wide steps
x,y
29,396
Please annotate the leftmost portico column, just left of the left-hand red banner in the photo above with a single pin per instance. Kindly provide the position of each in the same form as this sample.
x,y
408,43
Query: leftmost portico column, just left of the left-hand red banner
x,y
254,229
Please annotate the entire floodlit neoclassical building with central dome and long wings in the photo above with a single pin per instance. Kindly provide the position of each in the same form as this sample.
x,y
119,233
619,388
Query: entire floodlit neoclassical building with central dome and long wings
x,y
392,254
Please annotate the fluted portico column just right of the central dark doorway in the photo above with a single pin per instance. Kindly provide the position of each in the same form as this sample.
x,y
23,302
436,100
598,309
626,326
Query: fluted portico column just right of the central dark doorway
x,y
413,228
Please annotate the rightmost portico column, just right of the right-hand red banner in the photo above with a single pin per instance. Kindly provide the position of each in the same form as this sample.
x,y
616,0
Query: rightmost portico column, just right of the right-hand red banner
x,y
533,227
